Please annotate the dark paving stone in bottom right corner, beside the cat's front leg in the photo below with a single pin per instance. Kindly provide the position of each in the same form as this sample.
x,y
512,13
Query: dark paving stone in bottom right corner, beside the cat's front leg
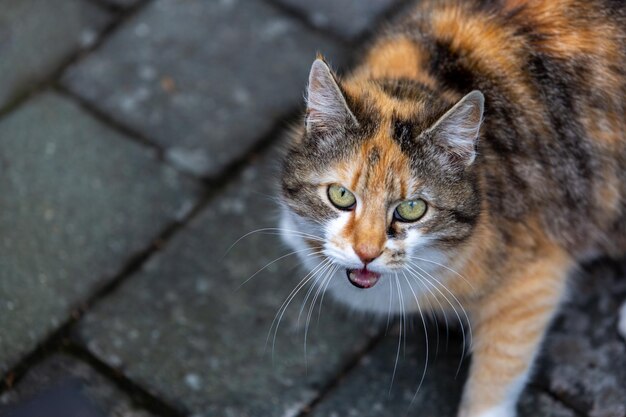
x,y
584,360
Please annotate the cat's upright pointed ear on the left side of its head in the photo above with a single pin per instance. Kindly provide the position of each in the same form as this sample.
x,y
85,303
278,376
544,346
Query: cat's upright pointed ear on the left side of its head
x,y
327,109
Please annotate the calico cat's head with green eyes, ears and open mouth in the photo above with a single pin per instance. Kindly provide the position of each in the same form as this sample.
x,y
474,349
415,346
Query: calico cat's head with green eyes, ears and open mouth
x,y
380,184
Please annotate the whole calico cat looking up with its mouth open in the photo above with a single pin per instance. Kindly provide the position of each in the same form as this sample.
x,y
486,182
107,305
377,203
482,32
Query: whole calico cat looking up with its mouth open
x,y
474,157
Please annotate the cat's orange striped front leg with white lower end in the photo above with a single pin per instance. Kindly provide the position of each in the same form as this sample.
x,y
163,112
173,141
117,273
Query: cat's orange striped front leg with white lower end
x,y
509,324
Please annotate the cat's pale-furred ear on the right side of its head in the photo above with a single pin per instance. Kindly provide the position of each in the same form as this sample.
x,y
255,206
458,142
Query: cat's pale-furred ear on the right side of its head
x,y
458,129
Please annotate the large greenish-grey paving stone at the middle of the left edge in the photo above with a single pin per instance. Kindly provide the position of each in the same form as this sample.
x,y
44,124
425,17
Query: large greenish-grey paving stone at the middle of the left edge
x,y
77,200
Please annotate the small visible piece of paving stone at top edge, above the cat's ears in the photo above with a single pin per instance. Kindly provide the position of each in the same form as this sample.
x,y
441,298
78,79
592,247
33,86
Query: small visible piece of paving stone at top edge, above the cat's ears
x,y
347,18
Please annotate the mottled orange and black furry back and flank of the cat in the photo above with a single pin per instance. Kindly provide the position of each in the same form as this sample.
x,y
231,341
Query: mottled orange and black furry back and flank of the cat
x,y
554,80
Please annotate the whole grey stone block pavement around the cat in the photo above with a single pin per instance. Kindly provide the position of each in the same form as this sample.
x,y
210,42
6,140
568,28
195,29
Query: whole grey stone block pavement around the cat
x,y
137,142
